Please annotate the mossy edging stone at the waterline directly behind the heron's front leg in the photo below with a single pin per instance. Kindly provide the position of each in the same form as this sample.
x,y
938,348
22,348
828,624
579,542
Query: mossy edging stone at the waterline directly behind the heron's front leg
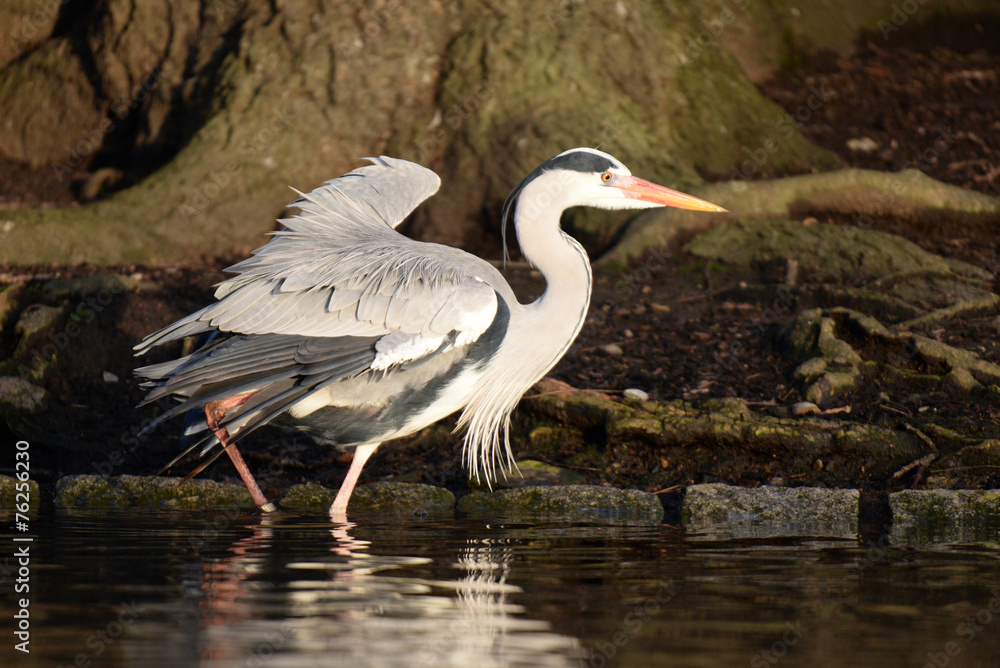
x,y
382,497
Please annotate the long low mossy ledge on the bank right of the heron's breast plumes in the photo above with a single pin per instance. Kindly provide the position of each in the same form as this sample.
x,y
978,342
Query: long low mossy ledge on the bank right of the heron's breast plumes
x,y
726,439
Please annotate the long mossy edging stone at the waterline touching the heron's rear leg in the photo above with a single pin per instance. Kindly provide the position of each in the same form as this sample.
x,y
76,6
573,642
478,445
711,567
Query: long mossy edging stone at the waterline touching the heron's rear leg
x,y
93,491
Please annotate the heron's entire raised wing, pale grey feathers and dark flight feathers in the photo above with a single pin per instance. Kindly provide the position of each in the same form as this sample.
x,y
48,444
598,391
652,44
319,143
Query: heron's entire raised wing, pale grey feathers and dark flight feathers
x,y
340,281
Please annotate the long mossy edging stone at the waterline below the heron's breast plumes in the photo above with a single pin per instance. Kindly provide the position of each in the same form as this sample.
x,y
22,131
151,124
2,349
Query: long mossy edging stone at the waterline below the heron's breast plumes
x,y
570,503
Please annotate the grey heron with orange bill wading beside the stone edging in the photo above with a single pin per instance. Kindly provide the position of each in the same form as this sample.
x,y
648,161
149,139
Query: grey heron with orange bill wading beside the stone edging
x,y
342,327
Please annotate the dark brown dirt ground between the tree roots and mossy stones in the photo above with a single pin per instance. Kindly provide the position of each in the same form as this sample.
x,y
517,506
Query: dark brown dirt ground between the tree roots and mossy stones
x,y
671,326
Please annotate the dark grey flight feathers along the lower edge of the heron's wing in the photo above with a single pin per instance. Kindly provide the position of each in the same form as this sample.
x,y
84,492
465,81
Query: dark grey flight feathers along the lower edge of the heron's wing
x,y
285,369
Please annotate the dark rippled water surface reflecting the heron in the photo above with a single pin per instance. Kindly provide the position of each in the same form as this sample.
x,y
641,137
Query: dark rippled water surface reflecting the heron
x,y
228,588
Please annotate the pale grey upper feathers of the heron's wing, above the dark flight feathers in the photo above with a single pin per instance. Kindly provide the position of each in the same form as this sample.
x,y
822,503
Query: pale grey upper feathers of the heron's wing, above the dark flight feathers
x,y
340,269
